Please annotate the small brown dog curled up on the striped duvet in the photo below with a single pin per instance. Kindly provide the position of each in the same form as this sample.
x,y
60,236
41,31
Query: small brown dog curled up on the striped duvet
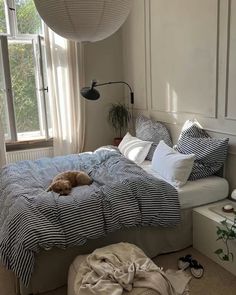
x,y
64,182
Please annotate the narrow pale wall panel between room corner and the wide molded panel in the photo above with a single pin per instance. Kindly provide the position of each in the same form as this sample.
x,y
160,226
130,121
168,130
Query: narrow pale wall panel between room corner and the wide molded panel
x,y
134,56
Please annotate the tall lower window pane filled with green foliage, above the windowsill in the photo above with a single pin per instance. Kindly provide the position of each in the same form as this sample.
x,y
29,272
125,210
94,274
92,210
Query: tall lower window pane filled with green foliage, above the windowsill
x,y
21,58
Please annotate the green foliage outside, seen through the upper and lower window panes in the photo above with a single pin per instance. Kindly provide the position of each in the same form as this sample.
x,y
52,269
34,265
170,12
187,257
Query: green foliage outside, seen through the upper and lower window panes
x,y
22,67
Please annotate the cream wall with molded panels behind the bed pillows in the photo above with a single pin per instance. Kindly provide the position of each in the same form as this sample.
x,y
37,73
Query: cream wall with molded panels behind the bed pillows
x,y
180,57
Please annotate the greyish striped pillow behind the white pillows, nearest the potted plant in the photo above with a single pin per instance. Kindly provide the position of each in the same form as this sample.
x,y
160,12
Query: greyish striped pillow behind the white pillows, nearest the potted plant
x,y
147,129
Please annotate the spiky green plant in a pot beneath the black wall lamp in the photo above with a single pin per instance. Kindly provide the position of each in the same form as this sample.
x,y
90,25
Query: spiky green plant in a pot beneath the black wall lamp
x,y
119,117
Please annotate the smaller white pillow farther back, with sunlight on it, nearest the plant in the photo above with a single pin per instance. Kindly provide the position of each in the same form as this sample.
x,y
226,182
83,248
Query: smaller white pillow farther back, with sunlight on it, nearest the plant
x,y
134,149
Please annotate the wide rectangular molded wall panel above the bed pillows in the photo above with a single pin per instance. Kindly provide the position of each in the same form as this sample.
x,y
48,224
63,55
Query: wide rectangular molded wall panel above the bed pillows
x,y
158,100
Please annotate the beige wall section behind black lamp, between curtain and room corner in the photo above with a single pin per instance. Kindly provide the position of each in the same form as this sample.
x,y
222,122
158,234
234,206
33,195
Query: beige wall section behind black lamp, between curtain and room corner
x,y
103,61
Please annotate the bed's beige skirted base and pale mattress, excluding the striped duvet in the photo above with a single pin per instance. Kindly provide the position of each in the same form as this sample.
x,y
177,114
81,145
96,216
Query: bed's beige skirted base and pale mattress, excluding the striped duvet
x,y
154,240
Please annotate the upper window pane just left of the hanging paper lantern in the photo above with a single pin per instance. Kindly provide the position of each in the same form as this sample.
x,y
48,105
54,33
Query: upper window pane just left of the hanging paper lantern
x,y
28,19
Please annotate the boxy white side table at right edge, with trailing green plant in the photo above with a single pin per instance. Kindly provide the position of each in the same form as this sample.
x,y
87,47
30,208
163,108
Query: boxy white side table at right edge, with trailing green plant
x,y
205,223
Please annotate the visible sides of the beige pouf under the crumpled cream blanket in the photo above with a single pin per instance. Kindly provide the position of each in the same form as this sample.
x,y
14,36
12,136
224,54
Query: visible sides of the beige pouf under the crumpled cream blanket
x,y
75,267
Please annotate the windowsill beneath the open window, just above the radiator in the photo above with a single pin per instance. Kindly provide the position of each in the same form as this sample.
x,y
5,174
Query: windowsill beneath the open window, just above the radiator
x,y
29,144
